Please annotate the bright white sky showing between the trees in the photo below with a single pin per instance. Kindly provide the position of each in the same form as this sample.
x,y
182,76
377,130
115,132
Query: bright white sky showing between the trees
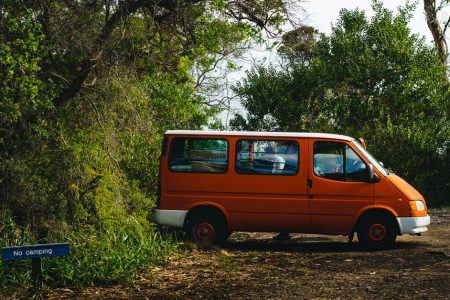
x,y
321,14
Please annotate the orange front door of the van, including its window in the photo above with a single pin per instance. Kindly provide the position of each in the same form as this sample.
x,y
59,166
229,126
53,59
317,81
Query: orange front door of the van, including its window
x,y
337,186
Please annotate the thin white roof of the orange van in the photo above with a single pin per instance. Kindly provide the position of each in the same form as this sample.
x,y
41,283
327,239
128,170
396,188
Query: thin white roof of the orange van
x,y
261,134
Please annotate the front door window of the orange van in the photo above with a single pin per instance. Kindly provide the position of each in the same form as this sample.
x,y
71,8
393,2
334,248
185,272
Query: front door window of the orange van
x,y
337,161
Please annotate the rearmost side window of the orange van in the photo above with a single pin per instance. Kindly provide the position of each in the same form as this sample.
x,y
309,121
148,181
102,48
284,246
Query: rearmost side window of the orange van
x,y
198,155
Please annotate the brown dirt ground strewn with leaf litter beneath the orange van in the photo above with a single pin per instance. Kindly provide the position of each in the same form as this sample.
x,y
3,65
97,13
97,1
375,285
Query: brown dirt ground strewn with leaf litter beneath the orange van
x,y
253,266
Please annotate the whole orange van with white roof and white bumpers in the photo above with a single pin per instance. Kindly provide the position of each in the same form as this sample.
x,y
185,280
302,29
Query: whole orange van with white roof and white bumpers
x,y
212,183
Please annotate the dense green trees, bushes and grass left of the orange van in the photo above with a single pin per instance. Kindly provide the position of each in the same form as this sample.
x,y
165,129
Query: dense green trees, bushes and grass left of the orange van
x,y
87,89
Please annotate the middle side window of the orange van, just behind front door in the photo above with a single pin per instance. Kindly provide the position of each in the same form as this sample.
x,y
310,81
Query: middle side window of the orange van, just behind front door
x,y
267,157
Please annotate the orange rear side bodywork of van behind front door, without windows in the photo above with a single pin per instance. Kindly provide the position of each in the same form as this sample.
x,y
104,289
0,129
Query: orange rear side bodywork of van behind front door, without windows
x,y
252,202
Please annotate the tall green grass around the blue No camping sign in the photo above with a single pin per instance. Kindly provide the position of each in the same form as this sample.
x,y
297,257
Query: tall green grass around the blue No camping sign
x,y
96,257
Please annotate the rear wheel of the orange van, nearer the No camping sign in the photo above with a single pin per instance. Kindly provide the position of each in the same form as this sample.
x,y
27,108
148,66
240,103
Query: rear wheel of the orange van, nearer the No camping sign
x,y
207,229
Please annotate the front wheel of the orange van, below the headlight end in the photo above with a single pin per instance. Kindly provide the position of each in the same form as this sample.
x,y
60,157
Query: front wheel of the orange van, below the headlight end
x,y
377,232
